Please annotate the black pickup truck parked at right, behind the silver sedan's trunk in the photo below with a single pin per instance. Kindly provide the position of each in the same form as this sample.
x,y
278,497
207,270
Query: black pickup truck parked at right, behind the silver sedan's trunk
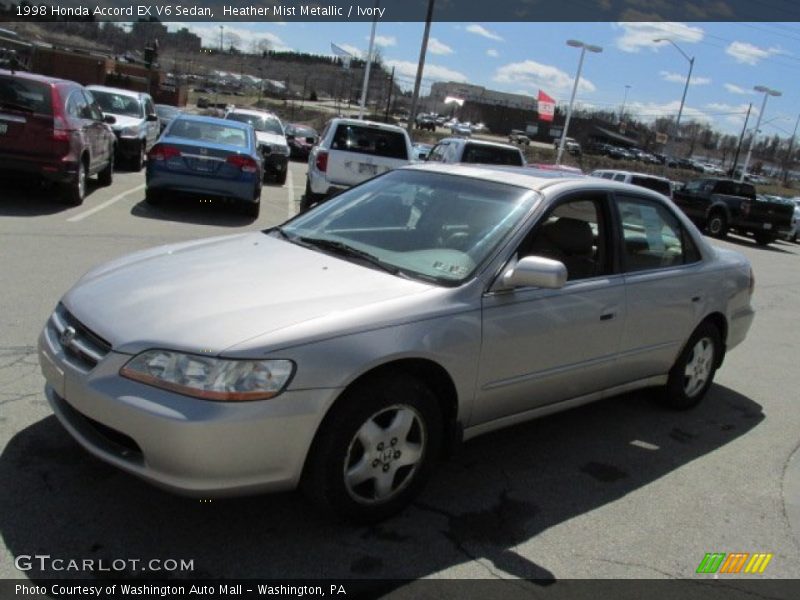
x,y
718,205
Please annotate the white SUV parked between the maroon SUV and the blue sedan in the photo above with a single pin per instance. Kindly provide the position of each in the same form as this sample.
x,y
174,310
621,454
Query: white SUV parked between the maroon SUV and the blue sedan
x,y
136,122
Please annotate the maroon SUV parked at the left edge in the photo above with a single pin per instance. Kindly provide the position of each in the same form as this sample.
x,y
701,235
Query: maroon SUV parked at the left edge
x,y
53,129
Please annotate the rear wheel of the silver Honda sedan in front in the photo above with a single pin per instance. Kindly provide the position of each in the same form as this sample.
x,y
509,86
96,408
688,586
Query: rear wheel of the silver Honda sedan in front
x,y
693,372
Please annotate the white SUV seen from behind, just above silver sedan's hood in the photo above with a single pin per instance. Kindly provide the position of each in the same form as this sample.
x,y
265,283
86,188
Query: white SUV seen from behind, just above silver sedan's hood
x,y
351,151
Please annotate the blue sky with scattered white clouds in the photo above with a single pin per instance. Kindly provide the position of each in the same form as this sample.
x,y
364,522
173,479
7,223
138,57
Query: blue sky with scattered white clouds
x,y
730,59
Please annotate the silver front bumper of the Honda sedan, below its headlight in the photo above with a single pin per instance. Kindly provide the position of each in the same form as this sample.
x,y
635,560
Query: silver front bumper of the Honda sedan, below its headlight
x,y
186,445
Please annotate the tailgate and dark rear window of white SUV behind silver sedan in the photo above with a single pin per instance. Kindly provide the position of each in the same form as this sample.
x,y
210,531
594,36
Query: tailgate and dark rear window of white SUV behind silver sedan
x,y
359,152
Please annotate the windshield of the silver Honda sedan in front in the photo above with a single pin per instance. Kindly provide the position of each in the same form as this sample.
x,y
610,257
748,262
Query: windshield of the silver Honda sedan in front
x,y
431,226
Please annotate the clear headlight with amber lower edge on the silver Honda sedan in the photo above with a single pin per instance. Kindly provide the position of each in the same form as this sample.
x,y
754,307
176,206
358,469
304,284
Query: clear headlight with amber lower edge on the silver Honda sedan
x,y
210,378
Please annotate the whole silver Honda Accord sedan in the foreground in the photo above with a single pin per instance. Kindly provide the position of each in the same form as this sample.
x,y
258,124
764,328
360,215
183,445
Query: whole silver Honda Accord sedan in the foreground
x,y
349,348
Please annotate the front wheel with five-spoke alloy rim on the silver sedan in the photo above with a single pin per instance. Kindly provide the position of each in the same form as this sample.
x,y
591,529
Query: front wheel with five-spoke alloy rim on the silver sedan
x,y
375,450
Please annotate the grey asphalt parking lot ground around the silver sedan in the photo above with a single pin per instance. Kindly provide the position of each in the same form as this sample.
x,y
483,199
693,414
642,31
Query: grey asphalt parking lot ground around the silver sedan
x,y
617,489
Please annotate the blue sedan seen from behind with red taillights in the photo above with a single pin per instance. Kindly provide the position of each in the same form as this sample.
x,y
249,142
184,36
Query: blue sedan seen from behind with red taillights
x,y
207,157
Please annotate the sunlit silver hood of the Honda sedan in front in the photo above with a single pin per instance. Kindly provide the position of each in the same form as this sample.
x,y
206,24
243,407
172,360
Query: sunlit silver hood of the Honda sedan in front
x,y
210,295
